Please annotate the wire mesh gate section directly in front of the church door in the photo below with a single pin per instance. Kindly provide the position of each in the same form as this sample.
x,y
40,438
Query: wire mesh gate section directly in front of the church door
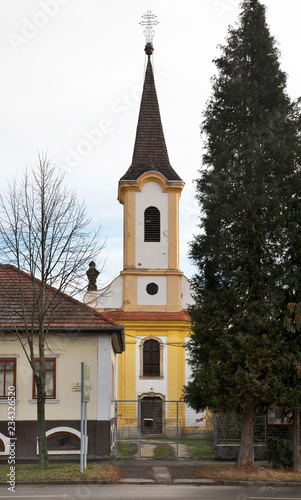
x,y
155,428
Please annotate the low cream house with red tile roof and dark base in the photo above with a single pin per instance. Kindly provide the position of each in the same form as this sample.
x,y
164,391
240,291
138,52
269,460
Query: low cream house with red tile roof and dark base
x,y
76,333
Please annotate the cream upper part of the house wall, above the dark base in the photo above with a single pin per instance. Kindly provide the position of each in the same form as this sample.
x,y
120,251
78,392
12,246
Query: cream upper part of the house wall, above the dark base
x,y
69,352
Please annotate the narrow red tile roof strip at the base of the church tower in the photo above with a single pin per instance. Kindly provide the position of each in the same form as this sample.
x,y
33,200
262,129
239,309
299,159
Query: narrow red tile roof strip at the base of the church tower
x,y
148,316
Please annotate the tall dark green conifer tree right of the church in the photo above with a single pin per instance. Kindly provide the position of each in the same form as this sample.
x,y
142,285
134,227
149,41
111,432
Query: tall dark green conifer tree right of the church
x,y
245,190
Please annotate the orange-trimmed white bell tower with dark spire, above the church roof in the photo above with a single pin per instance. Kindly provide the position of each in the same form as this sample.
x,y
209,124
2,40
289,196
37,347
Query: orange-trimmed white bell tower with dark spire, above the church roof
x,y
150,191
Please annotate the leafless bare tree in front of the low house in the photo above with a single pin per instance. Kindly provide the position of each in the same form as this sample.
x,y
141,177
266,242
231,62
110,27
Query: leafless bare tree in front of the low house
x,y
44,232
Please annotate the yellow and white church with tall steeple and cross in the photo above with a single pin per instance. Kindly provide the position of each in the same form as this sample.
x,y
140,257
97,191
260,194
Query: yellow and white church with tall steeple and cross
x,y
151,294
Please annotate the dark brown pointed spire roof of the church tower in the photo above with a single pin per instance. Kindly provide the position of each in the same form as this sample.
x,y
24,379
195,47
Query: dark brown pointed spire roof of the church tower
x,y
150,151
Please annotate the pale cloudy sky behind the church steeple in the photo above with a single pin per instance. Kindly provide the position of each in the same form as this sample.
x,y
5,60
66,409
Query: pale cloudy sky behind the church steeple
x,y
70,84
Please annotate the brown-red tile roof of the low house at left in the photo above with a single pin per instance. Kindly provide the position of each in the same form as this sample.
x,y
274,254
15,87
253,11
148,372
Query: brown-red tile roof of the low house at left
x,y
64,312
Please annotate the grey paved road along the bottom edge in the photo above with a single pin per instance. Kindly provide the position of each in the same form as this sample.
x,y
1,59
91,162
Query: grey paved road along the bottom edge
x,y
145,492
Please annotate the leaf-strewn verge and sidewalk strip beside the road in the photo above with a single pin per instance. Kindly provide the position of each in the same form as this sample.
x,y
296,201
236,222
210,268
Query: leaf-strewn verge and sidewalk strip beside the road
x,y
190,472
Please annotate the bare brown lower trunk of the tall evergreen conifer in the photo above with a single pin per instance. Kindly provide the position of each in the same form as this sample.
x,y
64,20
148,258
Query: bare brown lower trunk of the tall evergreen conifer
x,y
246,449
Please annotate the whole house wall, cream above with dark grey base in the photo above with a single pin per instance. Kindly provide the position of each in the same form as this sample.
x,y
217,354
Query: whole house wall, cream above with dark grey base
x,y
65,410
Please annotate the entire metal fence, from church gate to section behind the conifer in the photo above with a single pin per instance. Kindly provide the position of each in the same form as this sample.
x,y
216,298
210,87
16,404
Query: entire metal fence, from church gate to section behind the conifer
x,y
141,426
